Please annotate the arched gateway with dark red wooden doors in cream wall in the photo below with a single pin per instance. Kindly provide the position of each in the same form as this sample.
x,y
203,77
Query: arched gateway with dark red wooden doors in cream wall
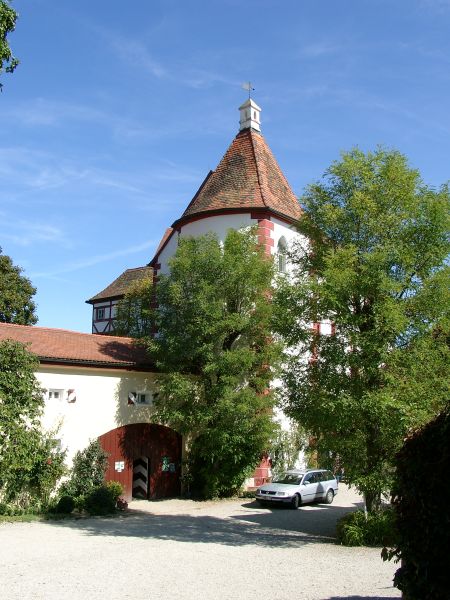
x,y
145,459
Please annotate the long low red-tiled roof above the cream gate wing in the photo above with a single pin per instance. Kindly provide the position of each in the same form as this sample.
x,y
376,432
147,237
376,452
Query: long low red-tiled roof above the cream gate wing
x,y
71,347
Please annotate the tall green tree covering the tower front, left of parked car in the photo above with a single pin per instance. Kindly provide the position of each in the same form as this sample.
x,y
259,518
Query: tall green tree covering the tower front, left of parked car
x,y
215,350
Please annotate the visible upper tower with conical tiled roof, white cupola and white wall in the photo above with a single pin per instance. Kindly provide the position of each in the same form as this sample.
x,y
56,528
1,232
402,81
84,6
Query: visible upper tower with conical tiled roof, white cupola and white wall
x,y
247,188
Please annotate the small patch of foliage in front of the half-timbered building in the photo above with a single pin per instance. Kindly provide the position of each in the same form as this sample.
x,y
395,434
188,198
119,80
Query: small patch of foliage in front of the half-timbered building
x,y
133,317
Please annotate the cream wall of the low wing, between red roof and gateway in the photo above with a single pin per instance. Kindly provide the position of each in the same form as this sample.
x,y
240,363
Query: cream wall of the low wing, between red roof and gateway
x,y
101,402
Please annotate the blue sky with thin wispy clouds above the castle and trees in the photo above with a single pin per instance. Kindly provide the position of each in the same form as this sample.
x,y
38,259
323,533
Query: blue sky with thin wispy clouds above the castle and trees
x,y
118,110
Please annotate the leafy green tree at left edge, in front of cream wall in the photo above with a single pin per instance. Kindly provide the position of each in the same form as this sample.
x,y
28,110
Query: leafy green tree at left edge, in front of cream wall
x,y
30,461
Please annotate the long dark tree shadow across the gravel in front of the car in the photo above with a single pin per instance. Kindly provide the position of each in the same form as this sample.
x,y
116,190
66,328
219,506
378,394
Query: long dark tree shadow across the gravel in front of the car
x,y
278,527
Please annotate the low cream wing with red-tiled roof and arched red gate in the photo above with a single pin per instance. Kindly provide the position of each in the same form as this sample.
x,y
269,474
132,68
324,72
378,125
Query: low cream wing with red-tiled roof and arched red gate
x,y
102,387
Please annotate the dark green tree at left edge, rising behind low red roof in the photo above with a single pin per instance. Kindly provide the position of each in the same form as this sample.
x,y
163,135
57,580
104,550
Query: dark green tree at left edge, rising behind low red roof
x,y
16,293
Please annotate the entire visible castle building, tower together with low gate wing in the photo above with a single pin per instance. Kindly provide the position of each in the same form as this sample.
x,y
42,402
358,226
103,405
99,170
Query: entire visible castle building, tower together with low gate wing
x,y
99,386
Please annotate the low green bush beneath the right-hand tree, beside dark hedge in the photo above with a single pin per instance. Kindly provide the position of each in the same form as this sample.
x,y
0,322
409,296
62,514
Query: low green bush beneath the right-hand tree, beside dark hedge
x,y
377,529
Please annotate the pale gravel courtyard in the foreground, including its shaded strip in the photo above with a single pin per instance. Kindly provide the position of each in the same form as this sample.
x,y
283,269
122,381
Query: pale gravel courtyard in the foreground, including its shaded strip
x,y
193,550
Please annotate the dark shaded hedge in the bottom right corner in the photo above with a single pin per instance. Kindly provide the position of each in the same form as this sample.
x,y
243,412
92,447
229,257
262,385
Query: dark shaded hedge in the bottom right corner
x,y
421,500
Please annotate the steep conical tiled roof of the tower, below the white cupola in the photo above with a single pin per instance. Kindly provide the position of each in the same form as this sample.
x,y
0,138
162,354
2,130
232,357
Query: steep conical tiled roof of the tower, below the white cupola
x,y
247,177
